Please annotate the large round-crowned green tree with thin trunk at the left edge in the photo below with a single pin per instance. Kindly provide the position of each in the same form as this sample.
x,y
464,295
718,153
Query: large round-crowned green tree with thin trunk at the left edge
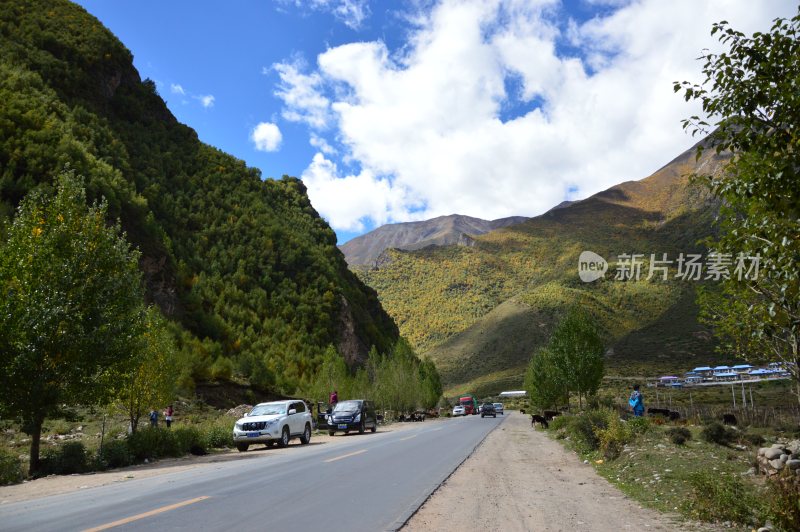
x,y
71,307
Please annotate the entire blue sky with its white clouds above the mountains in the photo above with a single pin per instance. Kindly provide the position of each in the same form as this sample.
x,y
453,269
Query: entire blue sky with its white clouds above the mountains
x,y
405,110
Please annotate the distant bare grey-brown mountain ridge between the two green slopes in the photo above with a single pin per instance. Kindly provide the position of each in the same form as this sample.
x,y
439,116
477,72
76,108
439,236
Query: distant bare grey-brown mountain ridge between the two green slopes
x,y
457,229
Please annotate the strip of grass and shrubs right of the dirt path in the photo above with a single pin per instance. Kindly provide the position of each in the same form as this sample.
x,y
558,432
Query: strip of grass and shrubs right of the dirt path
x,y
697,468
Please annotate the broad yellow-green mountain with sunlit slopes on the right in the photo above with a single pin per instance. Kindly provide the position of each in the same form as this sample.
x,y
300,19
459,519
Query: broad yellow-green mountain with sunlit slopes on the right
x,y
480,312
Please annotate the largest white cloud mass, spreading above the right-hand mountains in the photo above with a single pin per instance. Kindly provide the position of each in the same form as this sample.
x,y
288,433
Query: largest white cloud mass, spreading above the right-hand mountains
x,y
427,124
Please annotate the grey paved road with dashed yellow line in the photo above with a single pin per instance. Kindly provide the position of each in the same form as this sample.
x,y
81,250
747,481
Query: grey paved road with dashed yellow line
x,y
364,482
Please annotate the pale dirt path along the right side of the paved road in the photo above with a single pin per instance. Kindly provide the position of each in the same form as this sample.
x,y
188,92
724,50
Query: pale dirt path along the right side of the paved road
x,y
519,479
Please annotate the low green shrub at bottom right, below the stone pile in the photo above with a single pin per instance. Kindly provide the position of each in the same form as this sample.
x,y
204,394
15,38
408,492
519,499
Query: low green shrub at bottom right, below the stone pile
x,y
716,497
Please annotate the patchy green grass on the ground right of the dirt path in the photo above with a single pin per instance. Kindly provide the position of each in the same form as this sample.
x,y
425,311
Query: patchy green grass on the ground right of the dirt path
x,y
695,478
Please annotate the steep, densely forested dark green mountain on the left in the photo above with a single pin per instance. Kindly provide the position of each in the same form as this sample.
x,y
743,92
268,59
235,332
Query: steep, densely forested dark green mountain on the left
x,y
245,269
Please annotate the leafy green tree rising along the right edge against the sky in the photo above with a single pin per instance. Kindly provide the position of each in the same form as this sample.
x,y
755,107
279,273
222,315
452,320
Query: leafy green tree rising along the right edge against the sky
x,y
750,96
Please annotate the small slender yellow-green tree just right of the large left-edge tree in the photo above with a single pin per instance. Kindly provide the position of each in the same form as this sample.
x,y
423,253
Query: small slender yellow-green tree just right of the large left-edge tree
x,y
151,383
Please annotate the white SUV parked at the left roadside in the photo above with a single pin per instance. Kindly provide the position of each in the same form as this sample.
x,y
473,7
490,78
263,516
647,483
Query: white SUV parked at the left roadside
x,y
271,423
